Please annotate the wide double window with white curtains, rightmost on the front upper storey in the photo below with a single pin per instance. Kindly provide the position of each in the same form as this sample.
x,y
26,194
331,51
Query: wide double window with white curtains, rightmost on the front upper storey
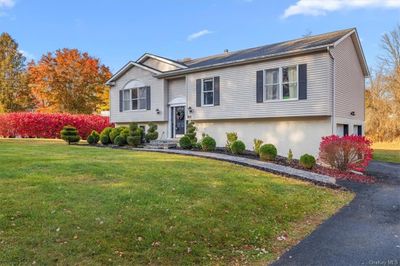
x,y
281,83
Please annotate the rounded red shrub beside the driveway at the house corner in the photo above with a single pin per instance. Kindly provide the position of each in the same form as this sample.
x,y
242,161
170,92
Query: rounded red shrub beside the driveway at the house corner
x,y
344,153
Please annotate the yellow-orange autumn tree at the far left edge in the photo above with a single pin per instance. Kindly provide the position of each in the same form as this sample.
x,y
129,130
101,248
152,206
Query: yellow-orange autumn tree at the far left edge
x,y
14,91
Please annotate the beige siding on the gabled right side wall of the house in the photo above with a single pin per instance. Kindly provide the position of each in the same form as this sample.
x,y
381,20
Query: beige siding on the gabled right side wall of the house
x,y
349,82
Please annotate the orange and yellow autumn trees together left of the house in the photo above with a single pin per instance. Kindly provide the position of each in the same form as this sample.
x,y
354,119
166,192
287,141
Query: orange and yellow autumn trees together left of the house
x,y
64,81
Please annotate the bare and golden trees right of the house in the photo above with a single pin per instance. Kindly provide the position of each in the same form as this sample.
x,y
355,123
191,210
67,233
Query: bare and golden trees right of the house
x,y
383,93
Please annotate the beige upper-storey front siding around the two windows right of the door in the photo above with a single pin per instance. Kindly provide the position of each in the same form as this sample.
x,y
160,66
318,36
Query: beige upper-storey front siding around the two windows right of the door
x,y
238,91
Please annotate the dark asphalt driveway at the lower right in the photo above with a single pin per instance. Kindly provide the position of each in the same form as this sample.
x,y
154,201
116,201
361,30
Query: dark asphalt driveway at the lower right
x,y
367,232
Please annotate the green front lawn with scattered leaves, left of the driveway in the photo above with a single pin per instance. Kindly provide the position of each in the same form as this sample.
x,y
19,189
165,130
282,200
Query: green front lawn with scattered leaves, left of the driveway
x,y
75,204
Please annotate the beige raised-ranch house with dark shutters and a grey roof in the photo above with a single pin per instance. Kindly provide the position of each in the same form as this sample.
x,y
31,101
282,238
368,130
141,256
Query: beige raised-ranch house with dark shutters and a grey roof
x,y
289,93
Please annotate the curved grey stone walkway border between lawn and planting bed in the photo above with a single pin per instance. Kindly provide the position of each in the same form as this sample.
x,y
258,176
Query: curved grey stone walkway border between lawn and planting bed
x,y
318,179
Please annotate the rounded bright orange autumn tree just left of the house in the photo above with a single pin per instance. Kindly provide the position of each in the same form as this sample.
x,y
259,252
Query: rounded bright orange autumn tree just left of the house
x,y
69,81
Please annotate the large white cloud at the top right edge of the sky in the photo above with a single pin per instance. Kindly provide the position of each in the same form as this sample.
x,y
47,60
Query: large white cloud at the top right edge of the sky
x,y
318,7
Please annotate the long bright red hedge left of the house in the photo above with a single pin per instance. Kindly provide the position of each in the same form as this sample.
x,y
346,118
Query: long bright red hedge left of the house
x,y
38,125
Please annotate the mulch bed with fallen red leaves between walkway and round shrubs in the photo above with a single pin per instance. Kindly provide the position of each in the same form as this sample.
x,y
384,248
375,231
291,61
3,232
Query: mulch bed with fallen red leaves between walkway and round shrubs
x,y
319,169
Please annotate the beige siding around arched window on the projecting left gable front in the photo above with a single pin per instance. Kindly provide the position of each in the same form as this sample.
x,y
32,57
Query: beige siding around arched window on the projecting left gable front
x,y
157,98
